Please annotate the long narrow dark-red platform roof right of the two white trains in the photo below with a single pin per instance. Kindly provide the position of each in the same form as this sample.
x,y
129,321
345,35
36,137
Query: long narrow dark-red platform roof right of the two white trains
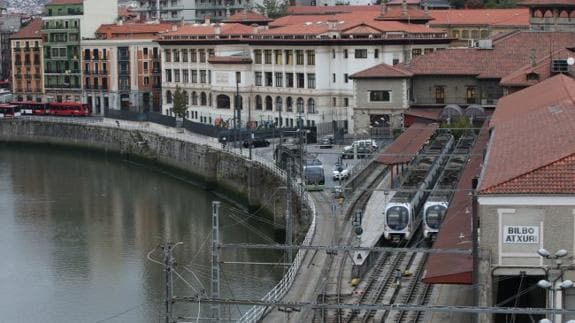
x,y
455,231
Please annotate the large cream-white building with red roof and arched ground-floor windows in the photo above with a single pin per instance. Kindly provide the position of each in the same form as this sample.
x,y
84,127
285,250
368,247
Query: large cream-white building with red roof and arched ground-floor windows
x,y
297,68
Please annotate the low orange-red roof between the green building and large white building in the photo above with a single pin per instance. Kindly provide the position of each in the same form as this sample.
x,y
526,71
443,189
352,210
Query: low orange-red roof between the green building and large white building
x,y
132,30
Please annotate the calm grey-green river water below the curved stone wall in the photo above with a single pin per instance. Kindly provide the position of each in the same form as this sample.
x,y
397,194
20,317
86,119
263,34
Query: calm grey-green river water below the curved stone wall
x,y
76,227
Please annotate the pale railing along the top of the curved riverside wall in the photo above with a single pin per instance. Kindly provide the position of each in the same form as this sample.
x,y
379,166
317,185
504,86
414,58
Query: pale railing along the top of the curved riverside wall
x,y
256,312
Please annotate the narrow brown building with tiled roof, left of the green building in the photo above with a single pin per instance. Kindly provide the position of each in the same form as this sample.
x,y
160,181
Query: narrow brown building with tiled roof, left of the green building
x,y
27,63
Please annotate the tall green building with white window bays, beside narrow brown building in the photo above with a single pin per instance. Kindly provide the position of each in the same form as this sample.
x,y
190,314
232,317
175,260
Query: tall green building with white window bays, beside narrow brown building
x,y
61,31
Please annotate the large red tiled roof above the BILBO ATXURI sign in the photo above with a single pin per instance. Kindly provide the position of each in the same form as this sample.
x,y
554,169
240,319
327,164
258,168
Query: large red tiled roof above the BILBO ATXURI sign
x,y
532,144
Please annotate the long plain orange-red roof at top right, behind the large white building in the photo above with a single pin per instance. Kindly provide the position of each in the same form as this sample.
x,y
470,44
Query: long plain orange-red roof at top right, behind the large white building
x,y
485,17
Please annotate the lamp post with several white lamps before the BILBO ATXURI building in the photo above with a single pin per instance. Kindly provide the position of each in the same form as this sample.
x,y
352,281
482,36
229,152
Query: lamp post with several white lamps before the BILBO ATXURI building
x,y
554,285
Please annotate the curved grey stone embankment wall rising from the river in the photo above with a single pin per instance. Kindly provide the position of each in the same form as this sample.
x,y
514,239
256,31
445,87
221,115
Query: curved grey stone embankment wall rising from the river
x,y
238,178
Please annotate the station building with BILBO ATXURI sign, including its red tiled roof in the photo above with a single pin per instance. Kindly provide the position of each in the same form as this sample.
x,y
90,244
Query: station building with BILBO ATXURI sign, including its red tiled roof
x,y
526,200
